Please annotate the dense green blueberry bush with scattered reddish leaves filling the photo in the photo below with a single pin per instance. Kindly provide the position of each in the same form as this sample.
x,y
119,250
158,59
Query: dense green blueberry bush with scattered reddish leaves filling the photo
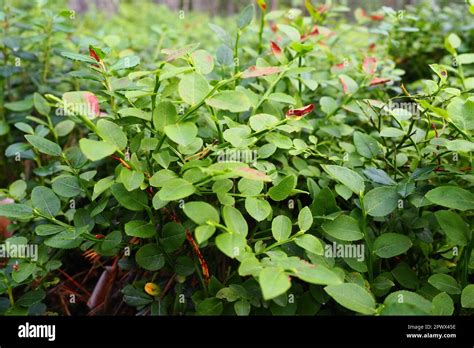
x,y
294,161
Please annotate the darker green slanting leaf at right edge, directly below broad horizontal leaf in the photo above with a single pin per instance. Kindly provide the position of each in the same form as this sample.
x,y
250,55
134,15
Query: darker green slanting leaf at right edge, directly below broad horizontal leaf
x,y
454,226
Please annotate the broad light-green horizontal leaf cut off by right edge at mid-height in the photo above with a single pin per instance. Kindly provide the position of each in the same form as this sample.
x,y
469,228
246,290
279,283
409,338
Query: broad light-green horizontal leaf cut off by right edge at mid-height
x,y
451,197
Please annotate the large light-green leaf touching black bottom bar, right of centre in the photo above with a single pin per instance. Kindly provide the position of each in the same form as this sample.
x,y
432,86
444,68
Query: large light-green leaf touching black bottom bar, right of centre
x,y
353,297
